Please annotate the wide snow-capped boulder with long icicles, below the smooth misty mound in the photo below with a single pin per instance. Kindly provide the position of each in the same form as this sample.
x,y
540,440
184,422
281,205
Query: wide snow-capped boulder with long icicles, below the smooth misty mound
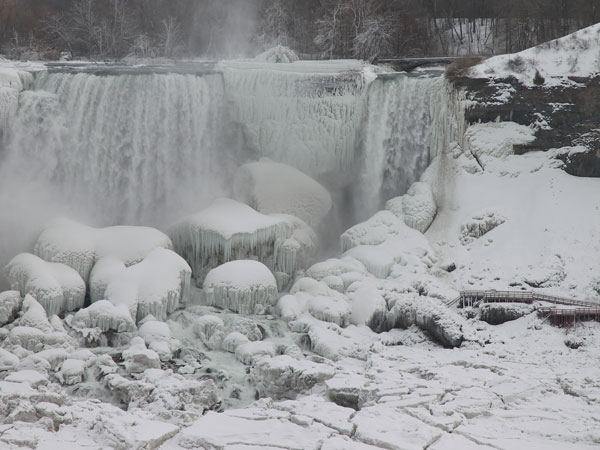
x,y
229,230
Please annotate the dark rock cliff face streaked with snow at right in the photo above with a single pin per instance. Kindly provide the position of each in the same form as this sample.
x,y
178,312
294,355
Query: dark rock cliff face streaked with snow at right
x,y
566,115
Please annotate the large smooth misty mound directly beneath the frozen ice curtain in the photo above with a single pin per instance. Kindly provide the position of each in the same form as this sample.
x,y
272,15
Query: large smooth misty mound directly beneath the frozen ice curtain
x,y
271,187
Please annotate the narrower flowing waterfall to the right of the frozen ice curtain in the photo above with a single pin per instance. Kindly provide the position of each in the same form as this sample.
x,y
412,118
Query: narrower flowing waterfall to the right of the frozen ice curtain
x,y
410,120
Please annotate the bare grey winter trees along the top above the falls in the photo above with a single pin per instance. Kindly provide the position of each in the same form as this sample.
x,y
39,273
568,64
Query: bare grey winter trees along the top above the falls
x,y
365,29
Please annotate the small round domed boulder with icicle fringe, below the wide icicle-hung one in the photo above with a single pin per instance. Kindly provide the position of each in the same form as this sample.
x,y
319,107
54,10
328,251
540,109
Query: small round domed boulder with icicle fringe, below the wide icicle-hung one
x,y
245,287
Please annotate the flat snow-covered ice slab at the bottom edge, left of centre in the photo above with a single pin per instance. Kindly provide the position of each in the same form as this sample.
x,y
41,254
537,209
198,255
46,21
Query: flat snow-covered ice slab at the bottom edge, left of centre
x,y
220,431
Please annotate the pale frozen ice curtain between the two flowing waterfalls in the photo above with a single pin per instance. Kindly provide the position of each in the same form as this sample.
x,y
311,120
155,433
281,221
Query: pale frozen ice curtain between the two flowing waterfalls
x,y
305,114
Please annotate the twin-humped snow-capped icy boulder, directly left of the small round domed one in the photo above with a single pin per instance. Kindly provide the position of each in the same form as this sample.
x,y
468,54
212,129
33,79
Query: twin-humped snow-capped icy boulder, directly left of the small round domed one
x,y
157,285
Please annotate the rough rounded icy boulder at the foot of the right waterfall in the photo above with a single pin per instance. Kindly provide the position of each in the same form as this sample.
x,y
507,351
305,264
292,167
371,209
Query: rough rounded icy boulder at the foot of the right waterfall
x,y
417,208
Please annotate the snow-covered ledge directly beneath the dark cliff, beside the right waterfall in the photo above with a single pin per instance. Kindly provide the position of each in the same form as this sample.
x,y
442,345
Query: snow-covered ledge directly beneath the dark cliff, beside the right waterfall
x,y
489,141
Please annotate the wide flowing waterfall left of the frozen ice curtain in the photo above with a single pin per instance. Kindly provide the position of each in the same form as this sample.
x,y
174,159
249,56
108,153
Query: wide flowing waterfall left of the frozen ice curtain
x,y
127,148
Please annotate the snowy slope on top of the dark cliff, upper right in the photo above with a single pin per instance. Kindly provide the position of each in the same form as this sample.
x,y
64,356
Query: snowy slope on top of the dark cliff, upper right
x,y
575,55
